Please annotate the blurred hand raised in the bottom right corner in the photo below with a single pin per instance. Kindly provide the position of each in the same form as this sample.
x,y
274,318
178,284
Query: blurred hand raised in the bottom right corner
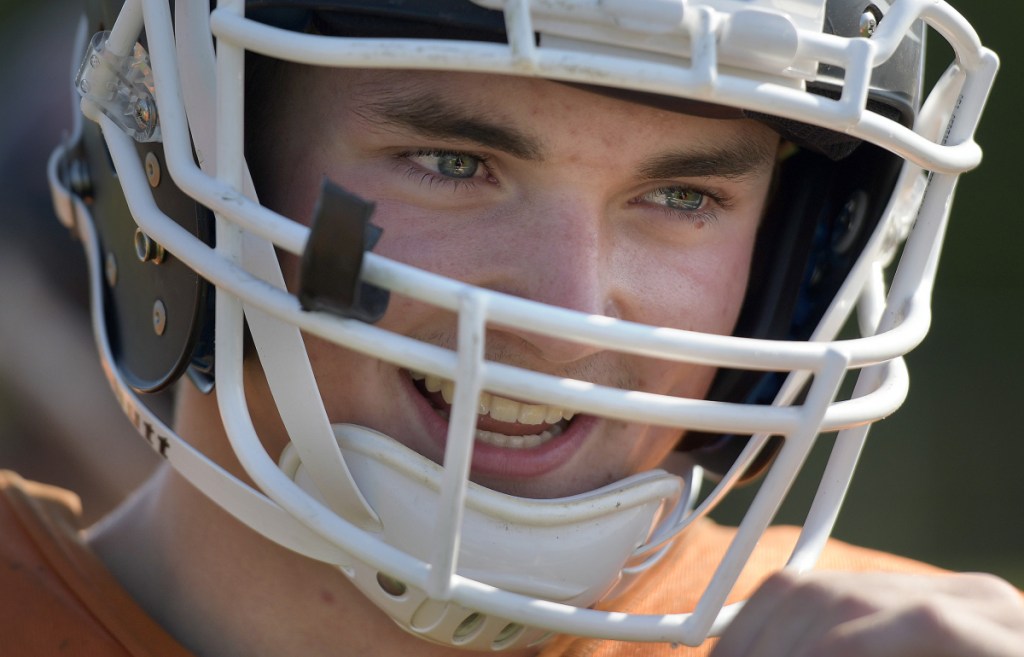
x,y
833,615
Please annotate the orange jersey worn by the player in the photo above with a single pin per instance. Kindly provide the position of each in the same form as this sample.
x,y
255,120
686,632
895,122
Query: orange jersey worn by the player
x,y
57,598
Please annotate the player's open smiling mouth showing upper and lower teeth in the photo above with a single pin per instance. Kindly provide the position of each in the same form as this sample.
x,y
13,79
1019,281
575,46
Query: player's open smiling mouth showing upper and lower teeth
x,y
502,422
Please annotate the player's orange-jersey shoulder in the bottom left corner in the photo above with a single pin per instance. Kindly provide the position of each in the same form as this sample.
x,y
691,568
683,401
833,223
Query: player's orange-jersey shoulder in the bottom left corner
x,y
56,596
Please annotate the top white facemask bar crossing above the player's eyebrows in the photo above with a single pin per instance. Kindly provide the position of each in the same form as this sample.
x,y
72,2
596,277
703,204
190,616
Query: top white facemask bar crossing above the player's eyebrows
x,y
703,78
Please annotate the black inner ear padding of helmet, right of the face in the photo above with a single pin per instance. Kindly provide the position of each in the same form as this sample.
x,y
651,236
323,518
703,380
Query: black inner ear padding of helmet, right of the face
x,y
817,225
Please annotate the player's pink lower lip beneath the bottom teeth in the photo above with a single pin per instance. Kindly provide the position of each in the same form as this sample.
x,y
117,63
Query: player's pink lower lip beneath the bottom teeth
x,y
503,462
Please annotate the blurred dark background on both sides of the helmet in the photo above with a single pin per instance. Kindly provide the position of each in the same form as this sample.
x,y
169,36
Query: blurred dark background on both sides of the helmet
x,y
942,480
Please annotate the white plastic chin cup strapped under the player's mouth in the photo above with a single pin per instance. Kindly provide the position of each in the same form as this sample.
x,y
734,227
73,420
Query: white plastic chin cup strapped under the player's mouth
x,y
589,539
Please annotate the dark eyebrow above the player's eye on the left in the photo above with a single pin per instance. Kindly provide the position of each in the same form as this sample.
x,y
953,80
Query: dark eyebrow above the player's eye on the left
x,y
433,117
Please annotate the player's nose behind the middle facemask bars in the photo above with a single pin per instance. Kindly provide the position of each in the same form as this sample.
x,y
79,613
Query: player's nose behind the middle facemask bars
x,y
557,251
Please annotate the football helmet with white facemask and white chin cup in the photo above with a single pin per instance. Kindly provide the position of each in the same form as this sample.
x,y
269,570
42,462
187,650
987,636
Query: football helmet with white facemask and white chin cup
x,y
876,169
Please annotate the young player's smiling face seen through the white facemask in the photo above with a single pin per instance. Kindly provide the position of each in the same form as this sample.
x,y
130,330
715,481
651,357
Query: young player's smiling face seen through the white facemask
x,y
540,191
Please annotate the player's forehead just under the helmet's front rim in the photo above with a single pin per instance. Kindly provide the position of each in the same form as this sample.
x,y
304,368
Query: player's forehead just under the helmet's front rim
x,y
548,112
